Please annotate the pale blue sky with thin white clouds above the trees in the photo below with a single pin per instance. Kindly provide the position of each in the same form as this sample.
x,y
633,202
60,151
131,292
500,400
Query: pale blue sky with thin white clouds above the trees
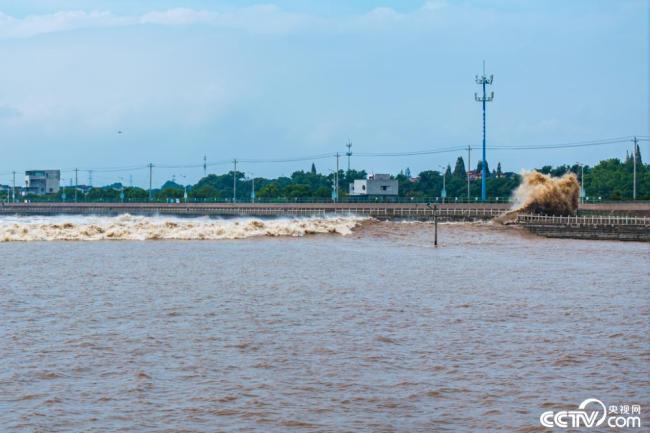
x,y
288,79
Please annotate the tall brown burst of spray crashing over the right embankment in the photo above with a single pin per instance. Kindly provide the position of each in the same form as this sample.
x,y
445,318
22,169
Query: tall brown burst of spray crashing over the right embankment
x,y
542,194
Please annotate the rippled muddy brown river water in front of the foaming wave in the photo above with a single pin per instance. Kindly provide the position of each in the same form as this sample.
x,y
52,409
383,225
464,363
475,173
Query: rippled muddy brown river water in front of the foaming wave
x,y
375,331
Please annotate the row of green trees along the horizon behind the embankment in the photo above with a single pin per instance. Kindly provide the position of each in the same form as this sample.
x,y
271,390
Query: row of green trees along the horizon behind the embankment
x,y
610,179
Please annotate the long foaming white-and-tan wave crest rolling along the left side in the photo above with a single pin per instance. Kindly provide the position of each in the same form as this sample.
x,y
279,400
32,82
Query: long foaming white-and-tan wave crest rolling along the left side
x,y
130,227
